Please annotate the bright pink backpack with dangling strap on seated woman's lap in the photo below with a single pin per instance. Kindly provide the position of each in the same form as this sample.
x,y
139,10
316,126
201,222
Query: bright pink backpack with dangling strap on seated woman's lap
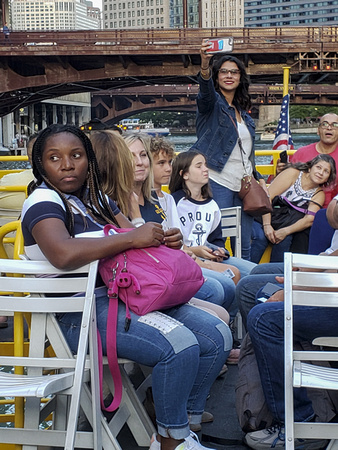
x,y
145,279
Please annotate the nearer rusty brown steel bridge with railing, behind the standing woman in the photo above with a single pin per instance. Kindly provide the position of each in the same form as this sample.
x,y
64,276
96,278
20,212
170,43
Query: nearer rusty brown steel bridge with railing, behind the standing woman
x,y
36,66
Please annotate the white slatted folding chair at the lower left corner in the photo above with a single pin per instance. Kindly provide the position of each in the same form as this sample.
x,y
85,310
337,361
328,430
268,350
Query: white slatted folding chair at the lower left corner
x,y
61,377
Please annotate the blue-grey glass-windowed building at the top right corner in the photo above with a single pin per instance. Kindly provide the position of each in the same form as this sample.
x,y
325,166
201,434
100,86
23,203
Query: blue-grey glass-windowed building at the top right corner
x,y
280,13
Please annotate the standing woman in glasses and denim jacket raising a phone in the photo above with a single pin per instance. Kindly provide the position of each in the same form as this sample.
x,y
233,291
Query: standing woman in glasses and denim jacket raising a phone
x,y
222,121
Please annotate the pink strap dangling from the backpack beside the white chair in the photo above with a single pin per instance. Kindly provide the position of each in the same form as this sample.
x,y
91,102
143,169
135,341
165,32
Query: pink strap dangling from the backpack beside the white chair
x,y
112,357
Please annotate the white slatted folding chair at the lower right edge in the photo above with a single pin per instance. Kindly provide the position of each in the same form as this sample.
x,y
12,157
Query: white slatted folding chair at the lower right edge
x,y
308,288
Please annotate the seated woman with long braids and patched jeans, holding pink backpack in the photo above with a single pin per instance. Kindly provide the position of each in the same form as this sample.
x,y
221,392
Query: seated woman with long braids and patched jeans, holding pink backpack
x,y
66,201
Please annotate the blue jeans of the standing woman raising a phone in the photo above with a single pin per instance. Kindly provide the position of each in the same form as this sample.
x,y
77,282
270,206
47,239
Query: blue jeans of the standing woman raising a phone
x,y
225,198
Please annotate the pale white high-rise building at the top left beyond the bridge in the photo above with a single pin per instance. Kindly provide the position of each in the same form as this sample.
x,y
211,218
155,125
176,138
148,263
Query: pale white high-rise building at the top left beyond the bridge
x,y
50,15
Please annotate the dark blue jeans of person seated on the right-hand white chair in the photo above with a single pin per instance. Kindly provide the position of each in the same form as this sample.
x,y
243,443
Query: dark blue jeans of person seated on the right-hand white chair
x,y
266,329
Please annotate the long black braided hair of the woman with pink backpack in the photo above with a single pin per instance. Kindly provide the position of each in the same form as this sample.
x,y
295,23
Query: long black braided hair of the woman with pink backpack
x,y
91,194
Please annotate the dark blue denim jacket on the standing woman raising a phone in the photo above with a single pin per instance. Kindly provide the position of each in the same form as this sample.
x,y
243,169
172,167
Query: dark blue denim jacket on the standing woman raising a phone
x,y
216,134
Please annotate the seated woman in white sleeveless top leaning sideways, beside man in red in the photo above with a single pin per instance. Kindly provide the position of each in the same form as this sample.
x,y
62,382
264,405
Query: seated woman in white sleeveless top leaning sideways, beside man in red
x,y
296,195
